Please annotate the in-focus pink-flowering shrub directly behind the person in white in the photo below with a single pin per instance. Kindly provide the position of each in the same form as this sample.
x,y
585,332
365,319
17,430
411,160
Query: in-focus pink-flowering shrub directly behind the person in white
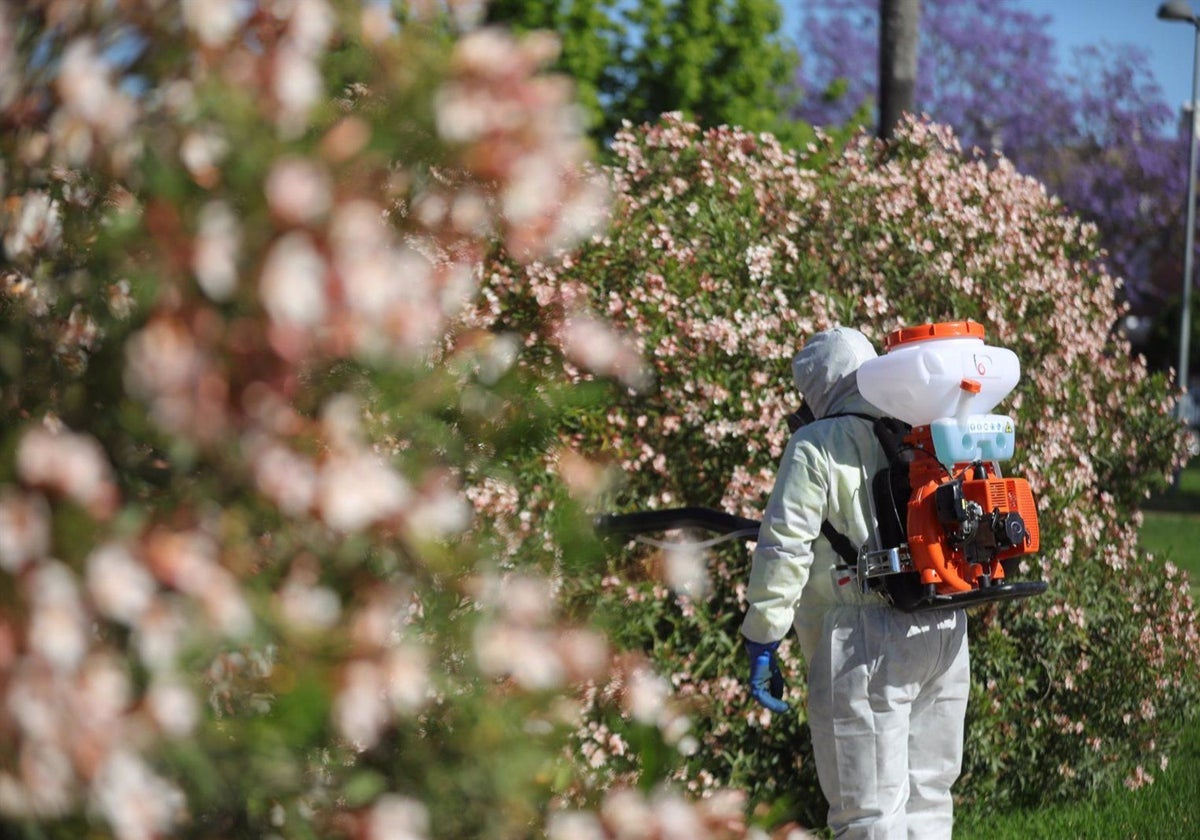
x,y
727,253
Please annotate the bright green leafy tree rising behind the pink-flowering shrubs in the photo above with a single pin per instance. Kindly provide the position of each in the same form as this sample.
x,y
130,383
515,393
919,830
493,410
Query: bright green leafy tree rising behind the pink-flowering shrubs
x,y
716,62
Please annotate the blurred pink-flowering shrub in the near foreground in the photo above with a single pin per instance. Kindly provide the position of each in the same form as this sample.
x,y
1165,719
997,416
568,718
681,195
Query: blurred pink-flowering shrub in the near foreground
x,y
244,591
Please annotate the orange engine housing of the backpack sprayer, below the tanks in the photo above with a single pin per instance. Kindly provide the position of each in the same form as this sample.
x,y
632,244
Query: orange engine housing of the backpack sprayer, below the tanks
x,y
963,526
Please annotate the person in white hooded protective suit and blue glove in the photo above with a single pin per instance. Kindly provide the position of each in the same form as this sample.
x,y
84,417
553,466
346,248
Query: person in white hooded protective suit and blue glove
x,y
887,689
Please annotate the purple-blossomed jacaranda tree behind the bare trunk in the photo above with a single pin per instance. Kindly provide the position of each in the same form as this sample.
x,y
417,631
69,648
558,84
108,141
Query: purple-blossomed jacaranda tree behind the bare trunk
x,y
1097,131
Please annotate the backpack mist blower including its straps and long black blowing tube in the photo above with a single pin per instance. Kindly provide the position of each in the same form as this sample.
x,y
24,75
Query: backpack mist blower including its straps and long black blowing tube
x,y
951,526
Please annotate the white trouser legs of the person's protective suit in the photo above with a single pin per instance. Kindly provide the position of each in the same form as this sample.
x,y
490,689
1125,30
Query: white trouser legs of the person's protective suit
x,y
887,700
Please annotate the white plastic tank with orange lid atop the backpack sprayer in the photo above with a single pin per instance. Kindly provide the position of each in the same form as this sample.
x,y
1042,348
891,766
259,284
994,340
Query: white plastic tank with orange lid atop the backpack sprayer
x,y
939,371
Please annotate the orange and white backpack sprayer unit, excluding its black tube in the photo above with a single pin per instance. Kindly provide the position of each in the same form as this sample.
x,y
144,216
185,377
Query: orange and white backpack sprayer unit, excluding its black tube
x,y
965,521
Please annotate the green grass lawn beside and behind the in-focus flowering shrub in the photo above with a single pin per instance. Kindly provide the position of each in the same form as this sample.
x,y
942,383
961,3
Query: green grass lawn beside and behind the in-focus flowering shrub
x,y
1171,808
